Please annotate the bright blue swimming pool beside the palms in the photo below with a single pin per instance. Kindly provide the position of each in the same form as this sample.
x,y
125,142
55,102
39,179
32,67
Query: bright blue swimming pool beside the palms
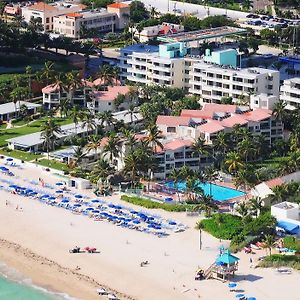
x,y
219,193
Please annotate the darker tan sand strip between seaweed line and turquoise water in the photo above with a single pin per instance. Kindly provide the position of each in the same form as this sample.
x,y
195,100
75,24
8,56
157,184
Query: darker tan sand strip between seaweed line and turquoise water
x,y
55,278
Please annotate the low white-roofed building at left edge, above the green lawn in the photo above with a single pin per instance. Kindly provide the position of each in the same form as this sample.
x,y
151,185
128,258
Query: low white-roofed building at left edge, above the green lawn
x,y
10,110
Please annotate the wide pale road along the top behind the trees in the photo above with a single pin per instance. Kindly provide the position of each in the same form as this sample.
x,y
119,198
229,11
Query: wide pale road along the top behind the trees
x,y
199,11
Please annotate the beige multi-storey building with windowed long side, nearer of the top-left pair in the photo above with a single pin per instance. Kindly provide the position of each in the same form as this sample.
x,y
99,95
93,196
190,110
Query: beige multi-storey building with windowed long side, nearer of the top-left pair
x,y
71,24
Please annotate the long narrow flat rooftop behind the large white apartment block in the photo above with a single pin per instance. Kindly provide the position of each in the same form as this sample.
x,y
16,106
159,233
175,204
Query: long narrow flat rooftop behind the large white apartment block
x,y
203,34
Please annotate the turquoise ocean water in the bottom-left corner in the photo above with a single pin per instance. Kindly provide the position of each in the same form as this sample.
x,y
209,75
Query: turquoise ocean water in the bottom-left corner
x,y
14,286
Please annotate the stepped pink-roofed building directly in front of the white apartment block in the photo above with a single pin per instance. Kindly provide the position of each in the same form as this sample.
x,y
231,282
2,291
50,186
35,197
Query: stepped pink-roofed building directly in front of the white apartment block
x,y
213,118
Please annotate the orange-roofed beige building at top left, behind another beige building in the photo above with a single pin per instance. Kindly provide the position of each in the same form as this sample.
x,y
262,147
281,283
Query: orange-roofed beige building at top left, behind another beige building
x,y
46,12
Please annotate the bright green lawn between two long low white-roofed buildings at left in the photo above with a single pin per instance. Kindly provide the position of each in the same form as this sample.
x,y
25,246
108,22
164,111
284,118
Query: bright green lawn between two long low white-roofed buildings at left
x,y
32,128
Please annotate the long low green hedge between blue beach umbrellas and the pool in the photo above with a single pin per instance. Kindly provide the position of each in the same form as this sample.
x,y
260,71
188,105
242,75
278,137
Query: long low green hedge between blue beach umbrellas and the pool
x,y
152,205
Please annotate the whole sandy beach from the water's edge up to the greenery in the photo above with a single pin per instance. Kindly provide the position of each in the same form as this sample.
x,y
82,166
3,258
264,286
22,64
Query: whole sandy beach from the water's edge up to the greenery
x,y
36,241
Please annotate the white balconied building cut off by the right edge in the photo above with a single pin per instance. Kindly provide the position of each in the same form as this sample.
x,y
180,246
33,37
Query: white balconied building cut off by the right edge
x,y
290,92
